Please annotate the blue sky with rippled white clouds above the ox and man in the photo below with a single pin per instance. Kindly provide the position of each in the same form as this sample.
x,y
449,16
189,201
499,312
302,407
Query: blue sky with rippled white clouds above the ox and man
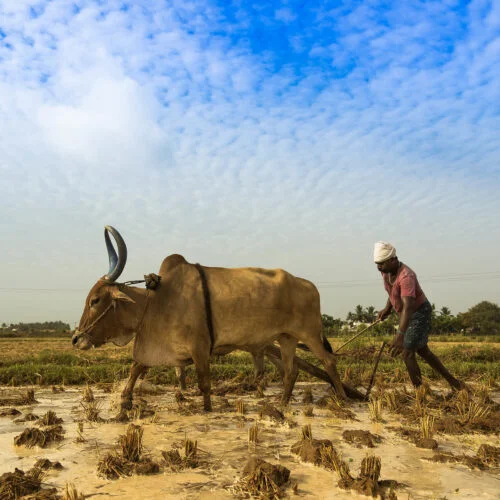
x,y
277,134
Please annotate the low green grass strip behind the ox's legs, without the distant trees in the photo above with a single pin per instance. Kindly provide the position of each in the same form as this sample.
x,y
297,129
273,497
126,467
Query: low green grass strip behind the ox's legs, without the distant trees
x,y
54,362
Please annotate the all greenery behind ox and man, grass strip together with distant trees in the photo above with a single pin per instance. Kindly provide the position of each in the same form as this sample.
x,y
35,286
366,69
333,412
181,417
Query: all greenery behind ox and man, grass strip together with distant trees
x,y
468,344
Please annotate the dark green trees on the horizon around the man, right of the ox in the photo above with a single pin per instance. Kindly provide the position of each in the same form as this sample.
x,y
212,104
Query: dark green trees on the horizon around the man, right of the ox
x,y
481,319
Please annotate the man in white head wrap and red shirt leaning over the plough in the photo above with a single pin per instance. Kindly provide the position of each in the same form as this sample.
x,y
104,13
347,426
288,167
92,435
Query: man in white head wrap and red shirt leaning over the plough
x,y
414,310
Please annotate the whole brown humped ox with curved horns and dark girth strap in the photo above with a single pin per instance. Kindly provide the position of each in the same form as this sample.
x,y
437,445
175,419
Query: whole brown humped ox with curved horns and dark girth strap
x,y
197,311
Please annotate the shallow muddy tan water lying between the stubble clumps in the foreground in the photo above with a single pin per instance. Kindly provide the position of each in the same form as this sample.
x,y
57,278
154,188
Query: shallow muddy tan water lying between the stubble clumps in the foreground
x,y
222,438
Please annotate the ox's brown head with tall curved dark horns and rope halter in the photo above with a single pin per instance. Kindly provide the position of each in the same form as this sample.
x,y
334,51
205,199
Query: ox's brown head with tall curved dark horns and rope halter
x,y
104,316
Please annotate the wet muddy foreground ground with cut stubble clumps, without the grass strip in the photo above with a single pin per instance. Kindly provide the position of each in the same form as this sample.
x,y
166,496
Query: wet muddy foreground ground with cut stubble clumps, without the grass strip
x,y
183,452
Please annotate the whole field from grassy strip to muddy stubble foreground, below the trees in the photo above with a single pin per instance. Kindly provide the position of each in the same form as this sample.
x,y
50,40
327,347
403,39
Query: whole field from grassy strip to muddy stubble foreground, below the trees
x,y
58,431
